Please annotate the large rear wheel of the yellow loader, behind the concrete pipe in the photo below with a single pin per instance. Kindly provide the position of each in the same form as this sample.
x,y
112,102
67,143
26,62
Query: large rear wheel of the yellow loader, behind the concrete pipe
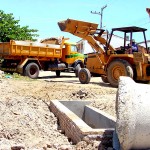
x,y
117,68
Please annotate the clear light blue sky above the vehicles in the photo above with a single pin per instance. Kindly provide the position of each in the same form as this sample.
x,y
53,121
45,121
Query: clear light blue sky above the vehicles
x,y
44,15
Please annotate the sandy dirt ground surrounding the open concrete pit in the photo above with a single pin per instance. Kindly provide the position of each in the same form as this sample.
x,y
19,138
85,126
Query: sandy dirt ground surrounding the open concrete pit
x,y
25,119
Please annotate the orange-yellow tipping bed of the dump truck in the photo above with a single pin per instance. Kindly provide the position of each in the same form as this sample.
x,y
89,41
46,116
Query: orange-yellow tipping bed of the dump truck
x,y
23,48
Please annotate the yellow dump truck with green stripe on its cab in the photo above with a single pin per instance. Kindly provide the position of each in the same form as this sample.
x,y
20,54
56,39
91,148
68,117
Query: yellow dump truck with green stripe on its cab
x,y
28,58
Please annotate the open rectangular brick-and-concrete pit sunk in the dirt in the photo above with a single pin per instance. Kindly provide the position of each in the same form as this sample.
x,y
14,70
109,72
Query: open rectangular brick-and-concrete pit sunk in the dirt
x,y
78,121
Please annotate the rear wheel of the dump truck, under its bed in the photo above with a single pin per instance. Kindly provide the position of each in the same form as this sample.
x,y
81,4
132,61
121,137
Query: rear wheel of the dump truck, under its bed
x,y
32,70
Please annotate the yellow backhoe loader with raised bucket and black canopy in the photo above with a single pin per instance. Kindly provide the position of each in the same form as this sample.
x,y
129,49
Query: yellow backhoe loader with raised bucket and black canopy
x,y
108,62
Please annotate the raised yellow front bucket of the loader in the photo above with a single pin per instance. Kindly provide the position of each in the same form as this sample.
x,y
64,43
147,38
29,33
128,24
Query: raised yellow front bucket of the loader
x,y
78,28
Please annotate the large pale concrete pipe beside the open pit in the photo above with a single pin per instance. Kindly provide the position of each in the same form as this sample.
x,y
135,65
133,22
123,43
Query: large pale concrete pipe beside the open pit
x,y
133,114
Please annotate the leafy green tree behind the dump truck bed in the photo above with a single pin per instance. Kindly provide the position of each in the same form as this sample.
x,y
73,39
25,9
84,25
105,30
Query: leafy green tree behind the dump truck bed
x,y
11,30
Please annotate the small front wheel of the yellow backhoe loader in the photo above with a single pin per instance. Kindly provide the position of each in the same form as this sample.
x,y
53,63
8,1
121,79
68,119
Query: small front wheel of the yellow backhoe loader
x,y
84,76
